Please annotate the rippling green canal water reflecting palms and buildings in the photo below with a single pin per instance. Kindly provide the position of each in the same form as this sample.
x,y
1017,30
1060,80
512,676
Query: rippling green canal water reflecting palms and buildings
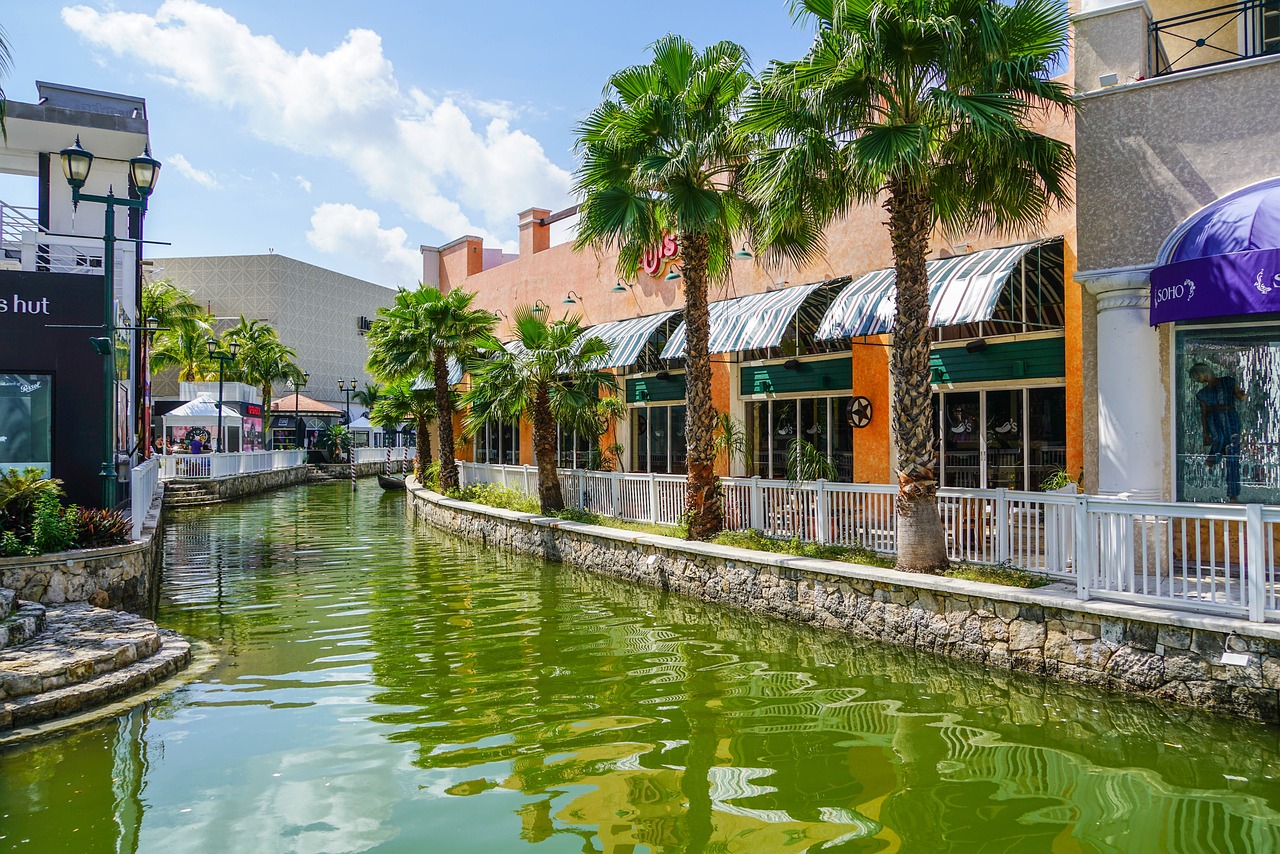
x,y
385,688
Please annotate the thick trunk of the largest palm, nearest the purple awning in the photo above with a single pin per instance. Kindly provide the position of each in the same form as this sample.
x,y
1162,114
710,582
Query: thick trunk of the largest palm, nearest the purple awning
x,y
921,542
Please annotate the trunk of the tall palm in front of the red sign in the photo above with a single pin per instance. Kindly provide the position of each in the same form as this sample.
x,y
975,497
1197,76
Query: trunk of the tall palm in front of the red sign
x,y
703,503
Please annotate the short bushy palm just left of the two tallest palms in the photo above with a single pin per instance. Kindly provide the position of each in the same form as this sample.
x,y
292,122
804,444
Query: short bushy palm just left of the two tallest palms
x,y
547,380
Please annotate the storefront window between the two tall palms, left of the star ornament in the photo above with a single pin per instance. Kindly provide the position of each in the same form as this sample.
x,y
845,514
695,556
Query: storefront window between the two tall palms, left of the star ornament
x,y
822,422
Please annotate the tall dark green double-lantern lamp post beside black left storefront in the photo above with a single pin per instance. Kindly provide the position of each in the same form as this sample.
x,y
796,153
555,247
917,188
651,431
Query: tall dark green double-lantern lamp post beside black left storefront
x,y
144,172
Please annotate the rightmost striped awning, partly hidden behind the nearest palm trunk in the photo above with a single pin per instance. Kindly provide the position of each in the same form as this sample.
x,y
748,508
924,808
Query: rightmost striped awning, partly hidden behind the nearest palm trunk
x,y
964,289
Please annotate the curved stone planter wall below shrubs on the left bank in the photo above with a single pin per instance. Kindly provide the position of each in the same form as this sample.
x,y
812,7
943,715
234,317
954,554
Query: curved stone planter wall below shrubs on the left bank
x,y
118,577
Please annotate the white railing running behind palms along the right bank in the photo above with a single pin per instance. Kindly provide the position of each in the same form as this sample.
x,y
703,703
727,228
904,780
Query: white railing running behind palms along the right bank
x,y
1212,559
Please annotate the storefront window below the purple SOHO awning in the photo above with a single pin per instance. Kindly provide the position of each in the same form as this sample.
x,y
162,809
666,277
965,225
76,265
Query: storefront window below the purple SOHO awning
x,y
1227,417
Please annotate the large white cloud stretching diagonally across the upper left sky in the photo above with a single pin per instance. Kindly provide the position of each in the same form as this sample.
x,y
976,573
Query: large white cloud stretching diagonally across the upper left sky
x,y
454,163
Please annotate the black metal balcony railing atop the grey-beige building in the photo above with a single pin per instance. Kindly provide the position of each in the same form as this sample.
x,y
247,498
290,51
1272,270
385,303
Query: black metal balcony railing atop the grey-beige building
x,y
1215,36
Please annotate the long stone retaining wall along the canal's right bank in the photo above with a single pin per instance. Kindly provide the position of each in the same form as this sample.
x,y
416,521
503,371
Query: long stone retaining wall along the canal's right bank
x,y
1168,655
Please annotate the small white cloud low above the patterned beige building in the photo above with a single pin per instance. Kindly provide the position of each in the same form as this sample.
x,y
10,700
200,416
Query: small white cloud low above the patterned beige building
x,y
358,232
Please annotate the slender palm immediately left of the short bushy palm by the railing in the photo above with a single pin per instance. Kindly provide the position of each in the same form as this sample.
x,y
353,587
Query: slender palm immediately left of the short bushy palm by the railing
x,y
417,337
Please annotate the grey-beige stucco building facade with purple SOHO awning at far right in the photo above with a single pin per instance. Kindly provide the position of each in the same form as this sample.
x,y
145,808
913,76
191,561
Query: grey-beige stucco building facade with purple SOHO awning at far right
x,y
1177,148
